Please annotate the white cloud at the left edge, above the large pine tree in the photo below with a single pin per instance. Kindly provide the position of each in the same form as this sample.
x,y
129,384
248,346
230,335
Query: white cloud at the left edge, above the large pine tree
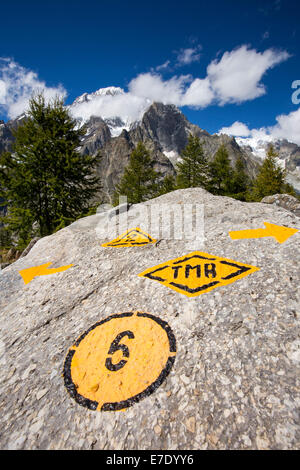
x,y
17,85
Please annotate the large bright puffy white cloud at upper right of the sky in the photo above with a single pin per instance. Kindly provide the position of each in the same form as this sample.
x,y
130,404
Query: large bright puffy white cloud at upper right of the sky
x,y
236,77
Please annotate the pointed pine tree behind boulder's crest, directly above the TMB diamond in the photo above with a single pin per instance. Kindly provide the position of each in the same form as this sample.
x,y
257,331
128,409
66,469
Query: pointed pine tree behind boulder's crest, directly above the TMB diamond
x,y
192,170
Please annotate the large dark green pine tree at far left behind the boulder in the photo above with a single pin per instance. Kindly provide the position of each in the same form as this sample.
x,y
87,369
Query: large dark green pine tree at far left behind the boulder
x,y
46,183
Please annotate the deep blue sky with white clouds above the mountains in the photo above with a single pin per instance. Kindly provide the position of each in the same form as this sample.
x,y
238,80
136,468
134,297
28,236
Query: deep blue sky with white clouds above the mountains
x,y
87,45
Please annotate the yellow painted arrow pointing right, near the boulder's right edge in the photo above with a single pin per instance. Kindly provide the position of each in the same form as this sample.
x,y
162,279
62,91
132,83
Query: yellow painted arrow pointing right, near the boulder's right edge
x,y
281,234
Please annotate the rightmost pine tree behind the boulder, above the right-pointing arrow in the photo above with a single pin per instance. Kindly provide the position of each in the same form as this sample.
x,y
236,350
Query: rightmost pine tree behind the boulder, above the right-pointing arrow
x,y
270,179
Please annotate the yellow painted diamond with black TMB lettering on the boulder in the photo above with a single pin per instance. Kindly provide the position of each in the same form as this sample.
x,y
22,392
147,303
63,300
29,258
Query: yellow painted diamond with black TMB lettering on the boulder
x,y
197,273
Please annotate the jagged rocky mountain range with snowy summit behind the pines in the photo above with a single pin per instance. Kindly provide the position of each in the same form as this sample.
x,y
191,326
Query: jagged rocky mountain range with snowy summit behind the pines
x,y
114,126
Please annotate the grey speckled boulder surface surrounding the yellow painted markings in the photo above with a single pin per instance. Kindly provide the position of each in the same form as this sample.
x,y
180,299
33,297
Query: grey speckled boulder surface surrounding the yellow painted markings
x,y
235,380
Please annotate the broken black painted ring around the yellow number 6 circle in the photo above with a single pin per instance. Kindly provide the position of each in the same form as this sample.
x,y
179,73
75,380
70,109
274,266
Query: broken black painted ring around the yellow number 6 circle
x,y
115,406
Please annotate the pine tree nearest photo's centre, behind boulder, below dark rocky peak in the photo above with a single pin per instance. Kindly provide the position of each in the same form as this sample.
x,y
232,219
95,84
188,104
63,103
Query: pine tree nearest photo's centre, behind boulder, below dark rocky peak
x,y
139,181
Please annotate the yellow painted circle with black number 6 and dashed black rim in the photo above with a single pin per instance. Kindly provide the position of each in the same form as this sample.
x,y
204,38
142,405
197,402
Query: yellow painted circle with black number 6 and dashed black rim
x,y
119,361
